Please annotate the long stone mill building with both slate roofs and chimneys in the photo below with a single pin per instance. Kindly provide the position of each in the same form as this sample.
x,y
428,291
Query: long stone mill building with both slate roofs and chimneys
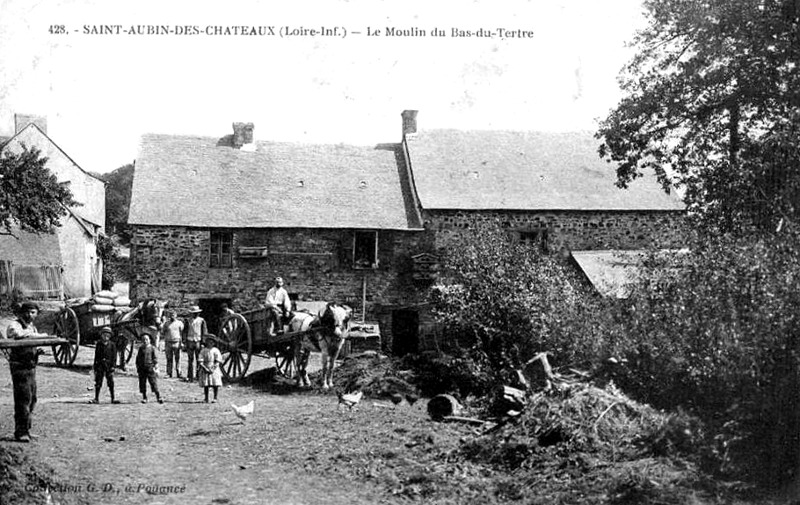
x,y
217,218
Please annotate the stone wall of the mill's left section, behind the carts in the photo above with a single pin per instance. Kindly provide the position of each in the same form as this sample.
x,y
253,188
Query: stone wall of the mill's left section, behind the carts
x,y
172,263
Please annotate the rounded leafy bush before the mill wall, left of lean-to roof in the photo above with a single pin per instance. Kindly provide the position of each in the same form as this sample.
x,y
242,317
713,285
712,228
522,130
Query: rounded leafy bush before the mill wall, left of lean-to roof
x,y
506,300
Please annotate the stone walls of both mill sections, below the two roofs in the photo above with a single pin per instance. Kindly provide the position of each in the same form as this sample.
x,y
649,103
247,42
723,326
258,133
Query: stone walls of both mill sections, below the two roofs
x,y
172,263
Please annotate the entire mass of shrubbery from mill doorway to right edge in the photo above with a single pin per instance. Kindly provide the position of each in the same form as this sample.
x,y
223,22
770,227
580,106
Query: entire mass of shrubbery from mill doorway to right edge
x,y
713,331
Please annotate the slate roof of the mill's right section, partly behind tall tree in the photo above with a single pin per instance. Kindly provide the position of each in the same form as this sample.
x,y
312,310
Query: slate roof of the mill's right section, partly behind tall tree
x,y
507,170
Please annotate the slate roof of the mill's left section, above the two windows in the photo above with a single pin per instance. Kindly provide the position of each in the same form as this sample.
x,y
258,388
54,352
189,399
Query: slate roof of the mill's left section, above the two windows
x,y
205,182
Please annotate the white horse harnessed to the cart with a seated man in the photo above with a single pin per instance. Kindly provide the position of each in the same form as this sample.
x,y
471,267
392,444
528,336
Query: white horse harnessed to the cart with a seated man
x,y
331,331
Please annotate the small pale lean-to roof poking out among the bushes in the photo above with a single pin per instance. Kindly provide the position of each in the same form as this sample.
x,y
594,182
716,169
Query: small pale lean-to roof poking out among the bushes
x,y
612,273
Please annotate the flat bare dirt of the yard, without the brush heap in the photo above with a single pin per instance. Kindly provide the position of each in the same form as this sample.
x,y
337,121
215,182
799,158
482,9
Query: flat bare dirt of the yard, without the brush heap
x,y
186,451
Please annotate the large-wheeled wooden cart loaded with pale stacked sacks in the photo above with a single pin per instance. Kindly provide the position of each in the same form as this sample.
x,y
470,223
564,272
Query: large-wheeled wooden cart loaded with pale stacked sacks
x,y
81,324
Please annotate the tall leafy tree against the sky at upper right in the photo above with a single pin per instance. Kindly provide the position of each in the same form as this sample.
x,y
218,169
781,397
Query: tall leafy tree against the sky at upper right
x,y
712,104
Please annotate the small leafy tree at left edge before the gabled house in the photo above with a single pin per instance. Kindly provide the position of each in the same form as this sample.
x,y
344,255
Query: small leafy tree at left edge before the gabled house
x,y
31,198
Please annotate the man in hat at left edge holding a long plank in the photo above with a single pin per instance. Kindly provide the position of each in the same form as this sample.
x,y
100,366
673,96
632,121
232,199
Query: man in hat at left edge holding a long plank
x,y
23,361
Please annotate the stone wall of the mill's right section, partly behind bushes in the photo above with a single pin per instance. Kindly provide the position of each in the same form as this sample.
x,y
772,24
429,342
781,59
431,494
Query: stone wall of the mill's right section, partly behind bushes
x,y
575,230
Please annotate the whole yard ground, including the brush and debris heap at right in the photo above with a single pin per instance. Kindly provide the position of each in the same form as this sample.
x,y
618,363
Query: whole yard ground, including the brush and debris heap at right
x,y
582,444
